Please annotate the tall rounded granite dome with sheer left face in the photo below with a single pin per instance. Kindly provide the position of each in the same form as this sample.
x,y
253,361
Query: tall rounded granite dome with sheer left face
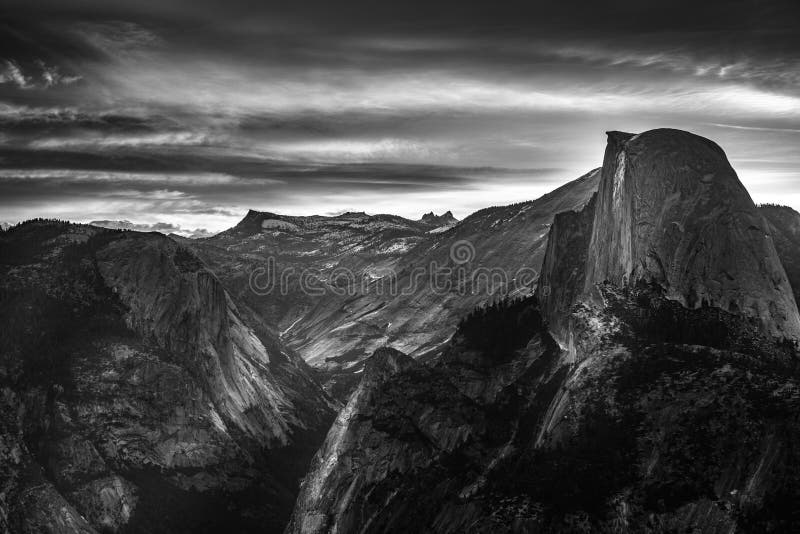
x,y
670,210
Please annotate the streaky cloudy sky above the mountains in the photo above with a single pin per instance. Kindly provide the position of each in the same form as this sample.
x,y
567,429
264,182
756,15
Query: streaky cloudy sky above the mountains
x,y
181,116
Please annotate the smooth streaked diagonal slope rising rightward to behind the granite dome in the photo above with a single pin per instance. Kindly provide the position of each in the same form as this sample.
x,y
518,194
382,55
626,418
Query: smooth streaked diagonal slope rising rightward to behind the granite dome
x,y
492,252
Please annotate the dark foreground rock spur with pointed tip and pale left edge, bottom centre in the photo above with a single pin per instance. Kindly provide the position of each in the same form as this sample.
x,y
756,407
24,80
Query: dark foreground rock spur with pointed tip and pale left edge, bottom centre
x,y
411,438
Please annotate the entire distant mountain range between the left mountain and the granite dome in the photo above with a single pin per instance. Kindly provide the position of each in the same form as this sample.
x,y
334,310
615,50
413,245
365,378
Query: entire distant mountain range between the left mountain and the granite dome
x,y
379,274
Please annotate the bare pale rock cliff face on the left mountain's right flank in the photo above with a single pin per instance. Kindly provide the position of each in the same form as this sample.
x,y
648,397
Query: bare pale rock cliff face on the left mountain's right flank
x,y
174,300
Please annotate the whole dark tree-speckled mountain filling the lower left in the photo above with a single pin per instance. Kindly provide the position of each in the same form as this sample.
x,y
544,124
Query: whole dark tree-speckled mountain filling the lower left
x,y
138,394
